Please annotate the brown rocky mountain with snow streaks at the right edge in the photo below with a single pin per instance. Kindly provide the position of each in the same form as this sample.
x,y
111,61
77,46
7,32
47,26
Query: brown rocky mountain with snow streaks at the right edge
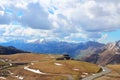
x,y
109,54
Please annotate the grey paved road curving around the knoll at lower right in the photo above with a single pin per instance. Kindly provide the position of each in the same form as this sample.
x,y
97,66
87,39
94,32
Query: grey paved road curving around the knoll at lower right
x,y
105,70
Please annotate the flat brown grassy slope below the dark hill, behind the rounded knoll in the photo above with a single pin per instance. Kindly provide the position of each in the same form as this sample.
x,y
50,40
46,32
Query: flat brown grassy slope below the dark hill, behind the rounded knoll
x,y
28,57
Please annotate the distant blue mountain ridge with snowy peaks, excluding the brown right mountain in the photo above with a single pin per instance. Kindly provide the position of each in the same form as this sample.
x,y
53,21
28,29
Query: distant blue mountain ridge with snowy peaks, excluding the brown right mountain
x,y
56,47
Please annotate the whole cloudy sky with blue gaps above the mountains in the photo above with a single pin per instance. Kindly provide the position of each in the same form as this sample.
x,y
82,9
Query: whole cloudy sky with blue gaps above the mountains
x,y
60,20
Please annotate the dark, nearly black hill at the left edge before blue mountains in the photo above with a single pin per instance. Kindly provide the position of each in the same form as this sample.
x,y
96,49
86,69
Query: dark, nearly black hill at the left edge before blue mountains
x,y
10,50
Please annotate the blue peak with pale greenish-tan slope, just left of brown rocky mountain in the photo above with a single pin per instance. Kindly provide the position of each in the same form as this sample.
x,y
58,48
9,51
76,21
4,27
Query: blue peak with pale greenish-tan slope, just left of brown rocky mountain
x,y
89,48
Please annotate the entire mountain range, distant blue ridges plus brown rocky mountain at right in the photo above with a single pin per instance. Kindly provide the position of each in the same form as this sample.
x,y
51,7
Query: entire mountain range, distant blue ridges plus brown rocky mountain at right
x,y
90,51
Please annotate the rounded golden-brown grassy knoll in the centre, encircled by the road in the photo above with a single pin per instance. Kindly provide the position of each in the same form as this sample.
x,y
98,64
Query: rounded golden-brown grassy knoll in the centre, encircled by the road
x,y
67,67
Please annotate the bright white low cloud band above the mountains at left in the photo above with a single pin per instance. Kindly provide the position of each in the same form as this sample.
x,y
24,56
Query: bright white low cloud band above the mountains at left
x,y
13,32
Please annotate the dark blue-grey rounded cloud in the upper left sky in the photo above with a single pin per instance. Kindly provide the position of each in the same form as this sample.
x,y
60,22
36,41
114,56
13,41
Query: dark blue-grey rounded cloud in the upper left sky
x,y
35,17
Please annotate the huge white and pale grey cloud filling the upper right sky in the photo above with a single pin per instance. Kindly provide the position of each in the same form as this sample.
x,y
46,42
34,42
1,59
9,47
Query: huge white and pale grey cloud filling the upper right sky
x,y
90,17
